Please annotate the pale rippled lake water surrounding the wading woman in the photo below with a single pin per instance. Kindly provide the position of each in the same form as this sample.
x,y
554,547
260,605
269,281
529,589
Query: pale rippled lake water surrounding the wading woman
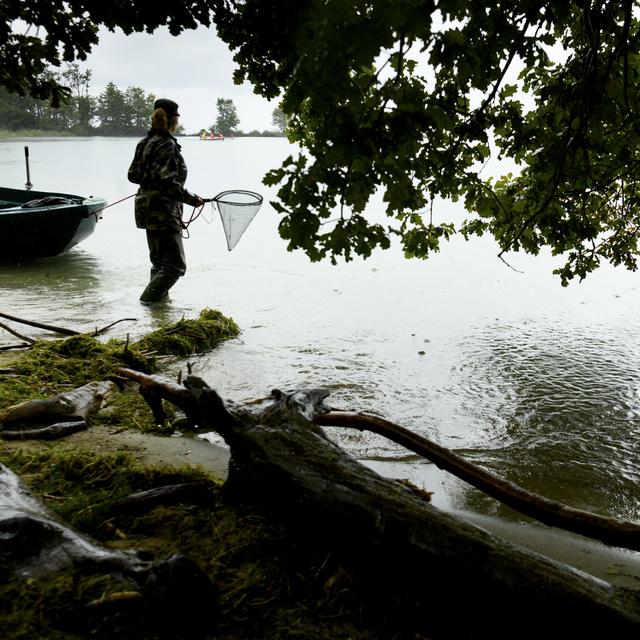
x,y
537,383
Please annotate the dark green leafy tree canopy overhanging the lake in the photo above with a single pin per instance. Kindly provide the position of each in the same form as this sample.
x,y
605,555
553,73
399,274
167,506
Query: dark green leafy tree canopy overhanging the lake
x,y
415,97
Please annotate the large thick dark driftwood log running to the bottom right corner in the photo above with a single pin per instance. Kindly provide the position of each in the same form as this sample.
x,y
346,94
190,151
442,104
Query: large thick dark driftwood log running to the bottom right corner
x,y
468,582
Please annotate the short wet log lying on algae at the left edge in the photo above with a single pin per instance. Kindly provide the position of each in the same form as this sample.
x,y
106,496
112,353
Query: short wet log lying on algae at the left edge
x,y
56,416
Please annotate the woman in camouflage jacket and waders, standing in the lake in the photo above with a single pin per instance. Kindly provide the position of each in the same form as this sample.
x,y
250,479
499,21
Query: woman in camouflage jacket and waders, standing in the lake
x,y
160,170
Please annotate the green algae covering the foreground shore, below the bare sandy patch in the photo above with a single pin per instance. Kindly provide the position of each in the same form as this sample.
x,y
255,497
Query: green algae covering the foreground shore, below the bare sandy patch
x,y
268,582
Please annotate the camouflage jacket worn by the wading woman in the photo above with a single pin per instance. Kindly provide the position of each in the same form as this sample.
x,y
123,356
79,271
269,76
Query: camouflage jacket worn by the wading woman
x,y
160,170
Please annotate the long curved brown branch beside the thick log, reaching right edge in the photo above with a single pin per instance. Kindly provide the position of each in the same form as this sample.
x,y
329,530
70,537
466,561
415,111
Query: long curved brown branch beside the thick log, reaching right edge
x,y
608,530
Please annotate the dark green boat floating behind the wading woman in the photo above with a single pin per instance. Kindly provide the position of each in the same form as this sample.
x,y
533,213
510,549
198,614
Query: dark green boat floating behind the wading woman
x,y
37,224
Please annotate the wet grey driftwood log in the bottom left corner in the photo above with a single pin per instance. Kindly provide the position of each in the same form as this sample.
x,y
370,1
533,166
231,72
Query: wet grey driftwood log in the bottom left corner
x,y
174,594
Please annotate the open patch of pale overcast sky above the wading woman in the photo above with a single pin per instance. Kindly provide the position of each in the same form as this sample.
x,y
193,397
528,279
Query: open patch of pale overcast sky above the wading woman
x,y
194,69
